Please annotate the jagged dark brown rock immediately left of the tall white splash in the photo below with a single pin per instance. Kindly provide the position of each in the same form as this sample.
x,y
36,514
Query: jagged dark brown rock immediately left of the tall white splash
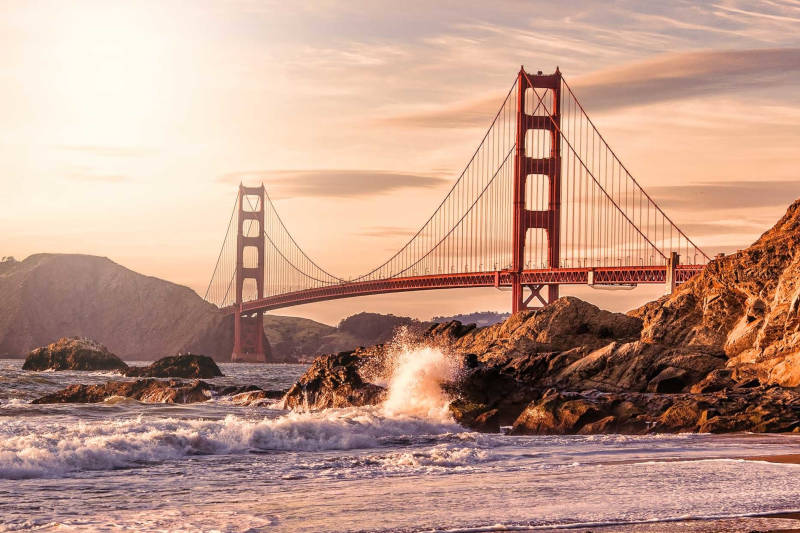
x,y
333,381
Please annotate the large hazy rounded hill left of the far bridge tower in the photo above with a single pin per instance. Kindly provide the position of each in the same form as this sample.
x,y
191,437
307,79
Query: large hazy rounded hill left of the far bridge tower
x,y
48,296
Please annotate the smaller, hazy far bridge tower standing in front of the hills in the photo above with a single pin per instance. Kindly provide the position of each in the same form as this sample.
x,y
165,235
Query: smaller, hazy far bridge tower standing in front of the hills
x,y
248,340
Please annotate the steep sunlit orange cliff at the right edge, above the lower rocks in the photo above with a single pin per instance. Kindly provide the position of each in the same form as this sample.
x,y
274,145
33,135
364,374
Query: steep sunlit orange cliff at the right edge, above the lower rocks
x,y
745,307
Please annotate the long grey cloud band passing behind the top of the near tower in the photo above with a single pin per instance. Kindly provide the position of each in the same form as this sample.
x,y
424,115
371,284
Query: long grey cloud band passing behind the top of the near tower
x,y
662,78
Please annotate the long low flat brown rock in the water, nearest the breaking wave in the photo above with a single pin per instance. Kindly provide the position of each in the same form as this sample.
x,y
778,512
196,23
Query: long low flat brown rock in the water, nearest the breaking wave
x,y
158,391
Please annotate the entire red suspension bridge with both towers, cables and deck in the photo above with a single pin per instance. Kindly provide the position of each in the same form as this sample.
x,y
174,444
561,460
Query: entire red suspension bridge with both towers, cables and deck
x,y
544,201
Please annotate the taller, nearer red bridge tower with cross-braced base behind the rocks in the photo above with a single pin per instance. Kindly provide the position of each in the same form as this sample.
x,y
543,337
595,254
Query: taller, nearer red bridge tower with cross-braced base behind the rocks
x,y
525,166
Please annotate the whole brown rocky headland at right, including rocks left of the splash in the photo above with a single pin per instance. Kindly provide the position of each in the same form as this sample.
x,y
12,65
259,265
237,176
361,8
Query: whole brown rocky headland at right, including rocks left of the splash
x,y
722,353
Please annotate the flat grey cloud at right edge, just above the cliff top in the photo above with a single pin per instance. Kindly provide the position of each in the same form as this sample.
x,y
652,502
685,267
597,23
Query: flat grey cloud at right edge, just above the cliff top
x,y
726,195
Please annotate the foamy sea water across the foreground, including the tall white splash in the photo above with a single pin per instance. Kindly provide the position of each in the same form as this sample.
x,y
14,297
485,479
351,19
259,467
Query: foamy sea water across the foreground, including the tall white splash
x,y
401,466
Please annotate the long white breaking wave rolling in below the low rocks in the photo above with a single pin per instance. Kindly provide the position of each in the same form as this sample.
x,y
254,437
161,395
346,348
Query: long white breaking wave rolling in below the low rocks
x,y
30,452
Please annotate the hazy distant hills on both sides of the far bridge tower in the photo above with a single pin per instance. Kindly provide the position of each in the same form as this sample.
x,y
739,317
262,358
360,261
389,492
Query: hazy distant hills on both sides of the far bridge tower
x,y
49,296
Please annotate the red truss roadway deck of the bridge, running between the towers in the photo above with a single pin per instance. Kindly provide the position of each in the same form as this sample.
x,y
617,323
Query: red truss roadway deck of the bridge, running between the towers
x,y
601,276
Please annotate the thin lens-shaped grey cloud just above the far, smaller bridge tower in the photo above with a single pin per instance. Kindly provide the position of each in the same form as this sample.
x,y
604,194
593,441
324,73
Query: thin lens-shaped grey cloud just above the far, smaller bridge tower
x,y
334,183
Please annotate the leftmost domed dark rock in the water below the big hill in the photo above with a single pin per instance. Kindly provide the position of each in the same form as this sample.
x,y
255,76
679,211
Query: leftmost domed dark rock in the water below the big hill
x,y
73,353
